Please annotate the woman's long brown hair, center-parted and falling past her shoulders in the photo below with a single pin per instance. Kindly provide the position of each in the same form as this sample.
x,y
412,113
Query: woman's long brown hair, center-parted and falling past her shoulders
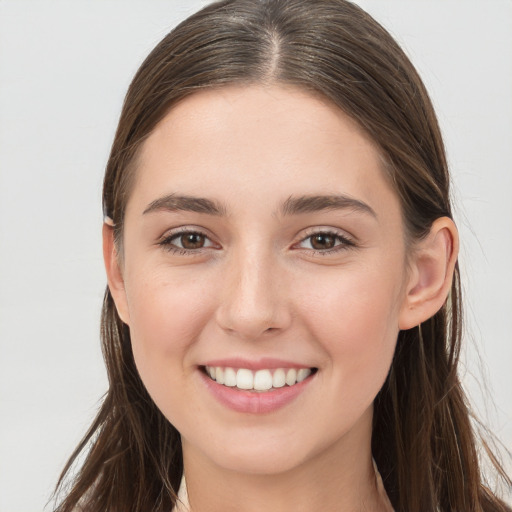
x,y
423,440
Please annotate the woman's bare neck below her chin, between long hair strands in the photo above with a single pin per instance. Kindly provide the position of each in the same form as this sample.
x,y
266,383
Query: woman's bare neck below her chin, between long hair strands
x,y
340,478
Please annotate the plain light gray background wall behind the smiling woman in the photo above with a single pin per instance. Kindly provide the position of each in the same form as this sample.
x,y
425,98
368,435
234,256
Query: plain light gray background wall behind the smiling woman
x,y
64,68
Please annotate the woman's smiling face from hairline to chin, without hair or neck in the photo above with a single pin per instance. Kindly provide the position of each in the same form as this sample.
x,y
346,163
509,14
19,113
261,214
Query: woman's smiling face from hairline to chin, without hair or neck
x,y
263,247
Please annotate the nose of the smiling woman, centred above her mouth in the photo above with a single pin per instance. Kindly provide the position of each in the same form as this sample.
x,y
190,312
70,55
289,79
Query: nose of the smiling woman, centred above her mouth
x,y
253,300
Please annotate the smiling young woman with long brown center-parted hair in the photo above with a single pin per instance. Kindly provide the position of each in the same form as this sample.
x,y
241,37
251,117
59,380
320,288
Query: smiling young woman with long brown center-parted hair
x,y
282,321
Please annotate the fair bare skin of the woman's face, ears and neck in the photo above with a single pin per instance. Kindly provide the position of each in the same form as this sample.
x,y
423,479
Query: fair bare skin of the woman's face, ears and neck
x,y
257,288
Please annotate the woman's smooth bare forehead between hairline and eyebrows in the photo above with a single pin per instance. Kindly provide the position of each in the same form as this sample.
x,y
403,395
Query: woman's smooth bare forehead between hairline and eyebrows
x,y
273,139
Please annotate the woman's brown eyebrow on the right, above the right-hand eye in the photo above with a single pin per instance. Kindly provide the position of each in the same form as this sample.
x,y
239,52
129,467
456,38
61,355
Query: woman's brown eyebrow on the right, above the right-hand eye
x,y
316,203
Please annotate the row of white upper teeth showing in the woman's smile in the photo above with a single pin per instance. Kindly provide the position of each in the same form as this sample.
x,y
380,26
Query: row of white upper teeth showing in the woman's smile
x,y
261,380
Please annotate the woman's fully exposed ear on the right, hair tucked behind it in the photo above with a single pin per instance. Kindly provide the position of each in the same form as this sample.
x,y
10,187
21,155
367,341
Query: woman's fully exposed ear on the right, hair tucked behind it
x,y
431,273
